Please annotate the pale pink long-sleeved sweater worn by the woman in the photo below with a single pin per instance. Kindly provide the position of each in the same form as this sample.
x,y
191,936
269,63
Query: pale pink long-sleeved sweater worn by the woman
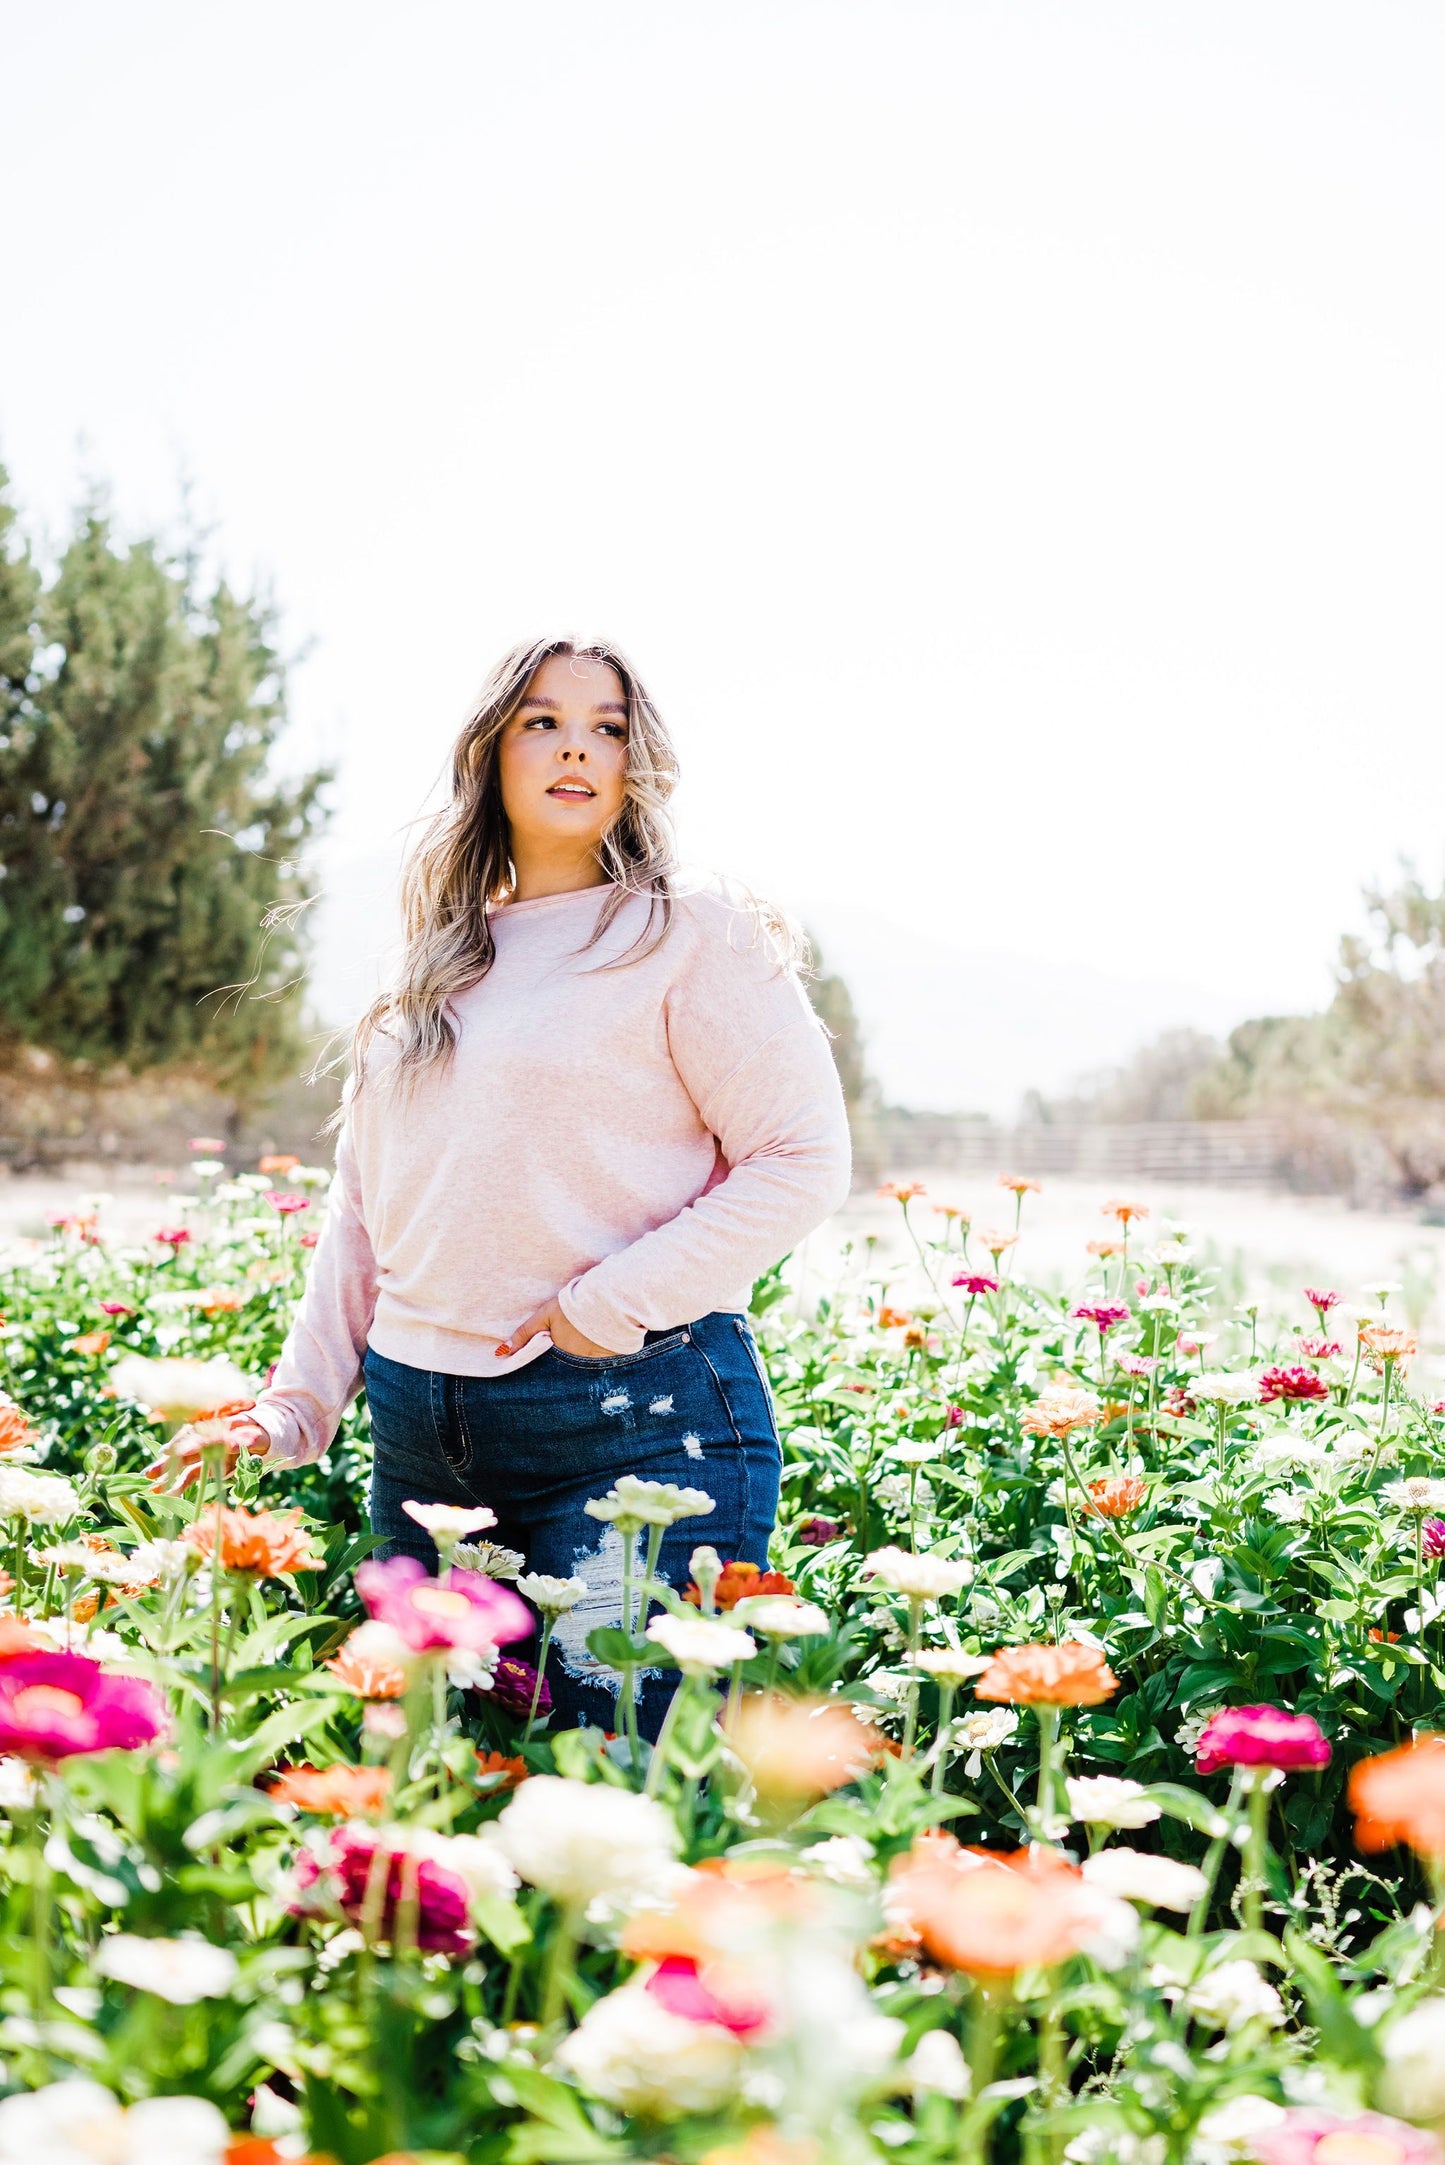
x,y
638,1144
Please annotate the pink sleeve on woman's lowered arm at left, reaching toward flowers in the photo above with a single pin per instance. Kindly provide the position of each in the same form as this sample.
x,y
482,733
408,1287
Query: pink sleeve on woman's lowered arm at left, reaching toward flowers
x,y
320,1372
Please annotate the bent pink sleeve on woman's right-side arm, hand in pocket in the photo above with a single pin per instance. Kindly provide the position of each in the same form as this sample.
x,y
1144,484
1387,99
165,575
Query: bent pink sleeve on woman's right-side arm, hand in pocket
x,y
759,1068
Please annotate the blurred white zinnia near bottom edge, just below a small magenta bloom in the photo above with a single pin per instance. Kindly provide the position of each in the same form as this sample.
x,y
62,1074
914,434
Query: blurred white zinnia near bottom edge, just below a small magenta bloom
x,y
640,2058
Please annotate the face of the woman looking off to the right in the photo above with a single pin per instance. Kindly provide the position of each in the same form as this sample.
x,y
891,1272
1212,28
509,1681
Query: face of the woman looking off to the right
x,y
562,759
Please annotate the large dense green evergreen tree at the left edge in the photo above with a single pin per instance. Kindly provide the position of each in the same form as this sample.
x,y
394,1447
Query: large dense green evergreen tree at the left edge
x,y
144,841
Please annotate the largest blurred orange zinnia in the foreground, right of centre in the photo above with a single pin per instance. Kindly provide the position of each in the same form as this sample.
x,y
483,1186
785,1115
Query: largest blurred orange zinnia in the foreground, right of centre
x,y
991,1913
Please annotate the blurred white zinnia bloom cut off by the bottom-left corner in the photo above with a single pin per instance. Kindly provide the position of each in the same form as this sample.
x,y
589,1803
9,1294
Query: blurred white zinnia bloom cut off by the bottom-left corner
x,y
83,2125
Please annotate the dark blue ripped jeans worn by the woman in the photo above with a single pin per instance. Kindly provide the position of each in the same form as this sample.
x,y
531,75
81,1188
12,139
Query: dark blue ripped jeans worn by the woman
x,y
692,1406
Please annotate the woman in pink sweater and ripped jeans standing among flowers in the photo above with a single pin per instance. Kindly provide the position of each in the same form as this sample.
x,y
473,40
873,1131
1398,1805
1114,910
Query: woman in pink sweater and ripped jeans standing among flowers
x,y
593,1110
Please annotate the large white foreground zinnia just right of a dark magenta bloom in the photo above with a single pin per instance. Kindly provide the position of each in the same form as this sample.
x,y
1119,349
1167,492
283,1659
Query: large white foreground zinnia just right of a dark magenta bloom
x,y
584,1839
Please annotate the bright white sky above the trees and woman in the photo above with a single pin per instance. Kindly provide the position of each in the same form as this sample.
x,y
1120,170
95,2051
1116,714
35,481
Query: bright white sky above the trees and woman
x,y
1008,438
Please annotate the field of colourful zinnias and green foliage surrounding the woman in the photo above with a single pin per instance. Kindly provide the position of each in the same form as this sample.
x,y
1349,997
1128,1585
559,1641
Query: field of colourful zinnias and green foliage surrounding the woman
x,y
1065,1792
